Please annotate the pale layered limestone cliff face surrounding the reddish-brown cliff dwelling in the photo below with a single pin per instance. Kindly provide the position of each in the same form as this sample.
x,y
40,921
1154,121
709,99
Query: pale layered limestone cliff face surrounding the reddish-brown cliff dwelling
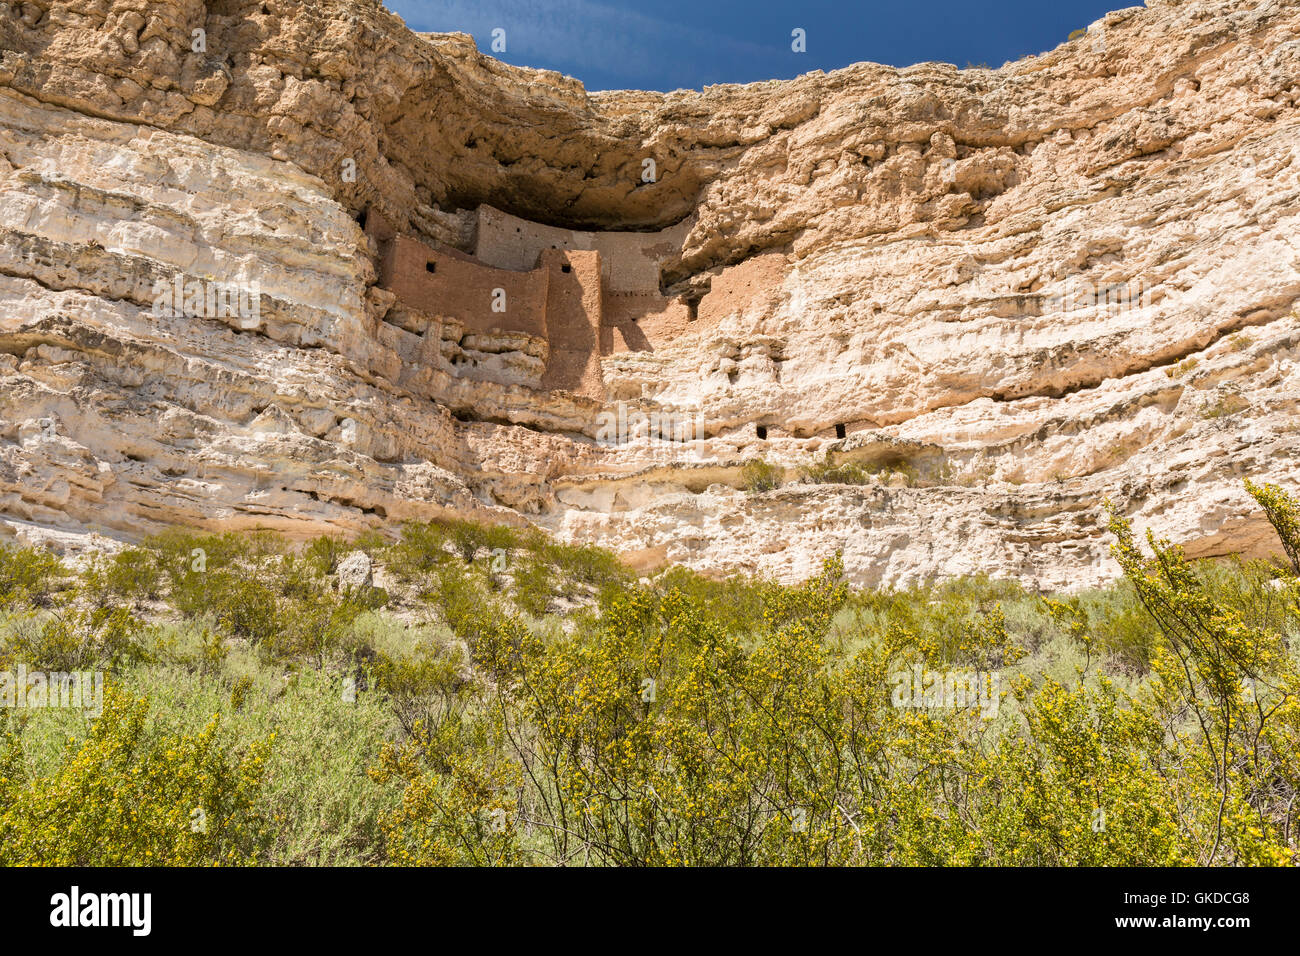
x,y
1022,291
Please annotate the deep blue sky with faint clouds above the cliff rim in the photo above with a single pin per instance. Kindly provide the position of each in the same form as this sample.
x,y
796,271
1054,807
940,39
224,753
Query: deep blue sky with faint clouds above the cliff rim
x,y
669,45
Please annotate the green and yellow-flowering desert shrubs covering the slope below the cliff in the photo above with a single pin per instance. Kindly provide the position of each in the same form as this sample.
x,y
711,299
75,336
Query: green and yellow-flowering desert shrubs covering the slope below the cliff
x,y
504,699
